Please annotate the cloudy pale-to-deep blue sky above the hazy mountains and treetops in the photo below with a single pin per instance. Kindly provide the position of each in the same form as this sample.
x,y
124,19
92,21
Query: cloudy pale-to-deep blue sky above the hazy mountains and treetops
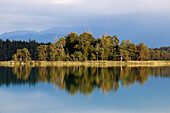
x,y
137,20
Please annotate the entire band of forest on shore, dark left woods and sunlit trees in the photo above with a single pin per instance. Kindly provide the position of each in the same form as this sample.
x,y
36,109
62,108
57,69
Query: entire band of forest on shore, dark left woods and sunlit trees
x,y
83,47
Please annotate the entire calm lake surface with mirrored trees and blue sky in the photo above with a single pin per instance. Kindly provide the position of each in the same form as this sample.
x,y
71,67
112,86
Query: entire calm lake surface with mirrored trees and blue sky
x,y
84,89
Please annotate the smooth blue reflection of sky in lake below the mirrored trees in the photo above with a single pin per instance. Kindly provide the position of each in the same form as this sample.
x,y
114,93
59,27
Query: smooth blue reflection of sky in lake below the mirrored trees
x,y
152,97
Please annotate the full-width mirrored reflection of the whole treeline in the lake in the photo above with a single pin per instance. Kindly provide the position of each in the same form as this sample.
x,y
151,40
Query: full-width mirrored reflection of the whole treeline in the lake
x,y
80,78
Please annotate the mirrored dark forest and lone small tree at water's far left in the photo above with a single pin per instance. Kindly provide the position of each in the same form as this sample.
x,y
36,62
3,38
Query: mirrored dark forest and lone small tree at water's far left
x,y
17,76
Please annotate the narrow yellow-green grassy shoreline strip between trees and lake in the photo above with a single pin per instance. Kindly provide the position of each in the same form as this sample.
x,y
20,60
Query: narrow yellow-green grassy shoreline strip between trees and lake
x,y
88,63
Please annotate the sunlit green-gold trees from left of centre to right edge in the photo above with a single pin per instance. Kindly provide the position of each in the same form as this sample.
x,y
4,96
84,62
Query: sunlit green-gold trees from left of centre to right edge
x,y
83,47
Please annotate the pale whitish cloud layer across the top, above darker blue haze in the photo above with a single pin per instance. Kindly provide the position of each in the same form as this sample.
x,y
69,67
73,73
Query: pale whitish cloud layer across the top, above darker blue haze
x,y
48,11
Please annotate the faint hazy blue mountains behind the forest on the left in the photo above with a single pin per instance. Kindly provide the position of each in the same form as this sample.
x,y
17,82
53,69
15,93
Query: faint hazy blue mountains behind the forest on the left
x,y
47,35
